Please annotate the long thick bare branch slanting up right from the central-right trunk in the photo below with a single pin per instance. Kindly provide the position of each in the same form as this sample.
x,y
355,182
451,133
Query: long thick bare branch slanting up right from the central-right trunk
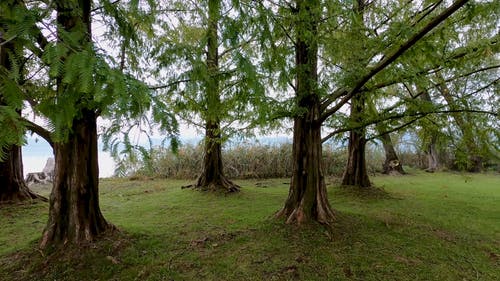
x,y
389,59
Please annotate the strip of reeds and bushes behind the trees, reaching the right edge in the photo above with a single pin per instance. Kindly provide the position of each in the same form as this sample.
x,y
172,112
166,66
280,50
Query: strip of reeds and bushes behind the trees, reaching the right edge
x,y
244,160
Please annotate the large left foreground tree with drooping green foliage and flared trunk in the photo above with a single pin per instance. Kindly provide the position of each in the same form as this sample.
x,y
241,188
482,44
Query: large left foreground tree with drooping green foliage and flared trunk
x,y
71,83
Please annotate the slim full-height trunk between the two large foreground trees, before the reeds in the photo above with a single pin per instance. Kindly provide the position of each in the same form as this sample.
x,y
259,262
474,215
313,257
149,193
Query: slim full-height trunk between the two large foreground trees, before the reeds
x,y
212,177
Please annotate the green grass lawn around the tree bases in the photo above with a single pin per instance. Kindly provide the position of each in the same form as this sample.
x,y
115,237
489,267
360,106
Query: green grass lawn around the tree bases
x,y
439,226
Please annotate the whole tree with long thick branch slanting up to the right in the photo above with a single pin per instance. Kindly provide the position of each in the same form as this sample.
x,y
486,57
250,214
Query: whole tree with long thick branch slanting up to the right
x,y
307,199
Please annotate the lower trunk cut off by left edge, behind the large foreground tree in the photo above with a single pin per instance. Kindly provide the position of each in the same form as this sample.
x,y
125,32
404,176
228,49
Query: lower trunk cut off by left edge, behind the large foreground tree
x,y
13,189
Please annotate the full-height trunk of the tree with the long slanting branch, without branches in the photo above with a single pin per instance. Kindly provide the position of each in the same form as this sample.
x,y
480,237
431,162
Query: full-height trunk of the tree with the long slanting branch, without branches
x,y
307,198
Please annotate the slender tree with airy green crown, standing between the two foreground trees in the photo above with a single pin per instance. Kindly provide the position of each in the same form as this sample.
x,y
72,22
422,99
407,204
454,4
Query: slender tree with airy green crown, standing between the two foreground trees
x,y
221,85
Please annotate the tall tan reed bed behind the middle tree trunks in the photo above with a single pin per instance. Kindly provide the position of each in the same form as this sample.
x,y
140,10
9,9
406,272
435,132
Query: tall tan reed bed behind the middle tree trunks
x,y
243,161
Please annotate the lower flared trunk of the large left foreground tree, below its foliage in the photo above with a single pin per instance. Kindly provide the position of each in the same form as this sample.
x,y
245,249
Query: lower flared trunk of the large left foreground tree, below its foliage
x,y
74,215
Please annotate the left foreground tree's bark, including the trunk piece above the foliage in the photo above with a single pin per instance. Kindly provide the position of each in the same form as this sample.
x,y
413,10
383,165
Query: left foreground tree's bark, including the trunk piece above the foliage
x,y
74,214
